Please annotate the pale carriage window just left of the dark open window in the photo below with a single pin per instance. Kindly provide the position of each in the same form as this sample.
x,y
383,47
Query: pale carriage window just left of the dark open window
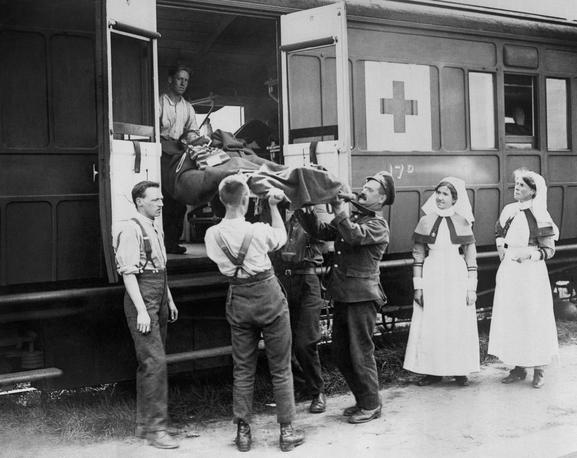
x,y
482,110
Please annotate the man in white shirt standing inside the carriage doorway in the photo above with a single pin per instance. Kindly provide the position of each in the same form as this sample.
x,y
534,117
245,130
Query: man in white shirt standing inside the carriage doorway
x,y
177,117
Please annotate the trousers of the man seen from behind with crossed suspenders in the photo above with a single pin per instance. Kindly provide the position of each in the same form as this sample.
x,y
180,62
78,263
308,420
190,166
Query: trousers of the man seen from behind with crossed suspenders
x,y
255,307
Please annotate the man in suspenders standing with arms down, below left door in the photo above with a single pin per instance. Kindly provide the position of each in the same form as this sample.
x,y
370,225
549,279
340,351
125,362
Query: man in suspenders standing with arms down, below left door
x,y
148,306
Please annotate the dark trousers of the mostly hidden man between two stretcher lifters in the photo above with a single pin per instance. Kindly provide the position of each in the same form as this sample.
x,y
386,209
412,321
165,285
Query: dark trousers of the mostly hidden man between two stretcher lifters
x,y
305,304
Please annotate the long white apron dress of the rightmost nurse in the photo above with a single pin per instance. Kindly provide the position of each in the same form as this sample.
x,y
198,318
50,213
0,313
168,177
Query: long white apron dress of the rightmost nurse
x,y
523,331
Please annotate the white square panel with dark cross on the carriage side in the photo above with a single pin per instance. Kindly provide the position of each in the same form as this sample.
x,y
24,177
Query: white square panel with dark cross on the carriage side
x,y
398,104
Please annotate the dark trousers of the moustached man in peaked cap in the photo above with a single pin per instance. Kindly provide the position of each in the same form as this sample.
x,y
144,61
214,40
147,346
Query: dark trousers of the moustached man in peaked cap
x,y
354,350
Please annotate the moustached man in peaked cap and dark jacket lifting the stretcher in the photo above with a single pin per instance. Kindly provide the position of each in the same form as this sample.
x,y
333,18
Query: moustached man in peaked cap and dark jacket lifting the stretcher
x,y
361,239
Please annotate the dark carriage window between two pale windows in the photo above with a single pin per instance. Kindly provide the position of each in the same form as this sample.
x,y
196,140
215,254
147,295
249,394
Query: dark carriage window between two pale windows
x,y
520,125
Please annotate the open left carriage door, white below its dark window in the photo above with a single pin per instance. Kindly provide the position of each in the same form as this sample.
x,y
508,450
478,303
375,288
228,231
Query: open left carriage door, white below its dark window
x,y
131,142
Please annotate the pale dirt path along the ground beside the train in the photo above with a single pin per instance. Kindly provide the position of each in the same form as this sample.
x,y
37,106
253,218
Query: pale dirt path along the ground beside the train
x,y
486,419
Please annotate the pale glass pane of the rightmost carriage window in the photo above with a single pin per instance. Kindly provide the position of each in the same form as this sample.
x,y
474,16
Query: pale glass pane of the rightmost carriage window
x,y
557,119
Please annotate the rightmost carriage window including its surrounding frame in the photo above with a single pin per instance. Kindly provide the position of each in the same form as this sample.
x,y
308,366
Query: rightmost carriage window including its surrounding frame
x,y
558,138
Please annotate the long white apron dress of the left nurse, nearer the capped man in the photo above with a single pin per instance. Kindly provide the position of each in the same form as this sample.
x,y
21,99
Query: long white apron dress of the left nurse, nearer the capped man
x,y
443,339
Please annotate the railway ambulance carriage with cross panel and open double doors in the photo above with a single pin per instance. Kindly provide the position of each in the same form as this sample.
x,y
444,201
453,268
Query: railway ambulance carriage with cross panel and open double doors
x,y
423,89
